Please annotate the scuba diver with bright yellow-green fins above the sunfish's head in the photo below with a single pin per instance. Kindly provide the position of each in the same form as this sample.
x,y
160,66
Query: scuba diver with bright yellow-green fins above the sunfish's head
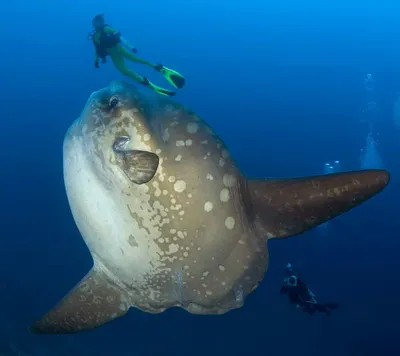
x,y
109,42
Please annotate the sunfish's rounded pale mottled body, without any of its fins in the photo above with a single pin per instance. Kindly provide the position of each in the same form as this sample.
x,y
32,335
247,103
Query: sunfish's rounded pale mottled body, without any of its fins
x,y
188,221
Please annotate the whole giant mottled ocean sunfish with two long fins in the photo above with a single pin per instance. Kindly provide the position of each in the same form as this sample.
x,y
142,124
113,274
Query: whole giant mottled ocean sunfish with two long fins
x,y
168,217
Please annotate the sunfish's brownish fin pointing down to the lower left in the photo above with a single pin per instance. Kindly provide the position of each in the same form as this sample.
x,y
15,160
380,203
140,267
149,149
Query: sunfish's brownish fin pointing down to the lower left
x,y
96,300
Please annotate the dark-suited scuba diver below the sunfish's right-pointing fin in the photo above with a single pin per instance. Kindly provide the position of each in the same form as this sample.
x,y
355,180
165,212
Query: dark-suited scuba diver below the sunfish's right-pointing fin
x,y
301,295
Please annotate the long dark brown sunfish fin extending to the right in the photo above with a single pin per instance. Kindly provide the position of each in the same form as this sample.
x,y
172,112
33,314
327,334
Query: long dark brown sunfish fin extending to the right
x,y
287,207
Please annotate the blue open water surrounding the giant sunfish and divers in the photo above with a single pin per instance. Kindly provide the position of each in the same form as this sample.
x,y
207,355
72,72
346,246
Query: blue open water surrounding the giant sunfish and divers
x,y
282,83
